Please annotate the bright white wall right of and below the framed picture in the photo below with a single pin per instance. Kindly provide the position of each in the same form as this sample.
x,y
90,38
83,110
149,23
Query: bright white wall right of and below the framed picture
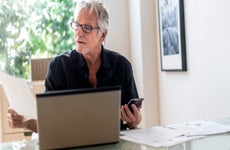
x,y
203,91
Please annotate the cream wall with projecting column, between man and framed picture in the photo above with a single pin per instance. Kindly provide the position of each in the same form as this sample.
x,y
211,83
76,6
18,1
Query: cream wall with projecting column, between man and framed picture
x,y
134,37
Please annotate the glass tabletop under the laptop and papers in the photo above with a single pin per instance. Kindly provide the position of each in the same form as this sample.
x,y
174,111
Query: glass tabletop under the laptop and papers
x,y
215,142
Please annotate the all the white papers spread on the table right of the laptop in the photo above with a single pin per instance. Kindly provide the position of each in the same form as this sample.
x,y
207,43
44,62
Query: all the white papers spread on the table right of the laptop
x,y
170,135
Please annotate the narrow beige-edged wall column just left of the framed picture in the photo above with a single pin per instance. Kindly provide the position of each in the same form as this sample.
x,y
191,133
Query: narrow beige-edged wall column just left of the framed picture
x,y
144,57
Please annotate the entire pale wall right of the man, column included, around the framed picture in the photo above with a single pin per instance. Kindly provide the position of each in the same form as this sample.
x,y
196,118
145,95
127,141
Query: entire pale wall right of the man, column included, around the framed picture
x,y
202,92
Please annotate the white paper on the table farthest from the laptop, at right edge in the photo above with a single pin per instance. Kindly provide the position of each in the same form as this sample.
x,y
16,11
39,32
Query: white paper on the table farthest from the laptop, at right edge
x,y
199,128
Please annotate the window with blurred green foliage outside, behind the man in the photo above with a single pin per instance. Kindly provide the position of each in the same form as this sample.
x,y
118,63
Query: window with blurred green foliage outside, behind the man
x,y
33,29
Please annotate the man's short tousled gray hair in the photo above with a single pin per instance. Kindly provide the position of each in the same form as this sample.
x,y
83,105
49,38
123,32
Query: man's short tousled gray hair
x,y
99,8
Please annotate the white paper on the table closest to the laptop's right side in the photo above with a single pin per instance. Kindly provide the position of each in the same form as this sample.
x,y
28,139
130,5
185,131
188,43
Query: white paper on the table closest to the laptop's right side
x,y
156,136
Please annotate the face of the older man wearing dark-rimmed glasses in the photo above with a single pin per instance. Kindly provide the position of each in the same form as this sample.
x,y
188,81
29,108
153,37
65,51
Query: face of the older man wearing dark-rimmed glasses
x,y
87,42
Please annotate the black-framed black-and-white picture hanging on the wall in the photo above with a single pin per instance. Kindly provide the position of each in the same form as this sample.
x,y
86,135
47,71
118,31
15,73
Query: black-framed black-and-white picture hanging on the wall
x,y
172,35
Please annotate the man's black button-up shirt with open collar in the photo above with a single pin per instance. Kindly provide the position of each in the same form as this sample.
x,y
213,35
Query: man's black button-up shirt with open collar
x,y
69,71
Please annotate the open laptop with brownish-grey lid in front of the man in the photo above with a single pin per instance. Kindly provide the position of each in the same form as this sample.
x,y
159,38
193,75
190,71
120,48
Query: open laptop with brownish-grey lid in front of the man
x,y
76,118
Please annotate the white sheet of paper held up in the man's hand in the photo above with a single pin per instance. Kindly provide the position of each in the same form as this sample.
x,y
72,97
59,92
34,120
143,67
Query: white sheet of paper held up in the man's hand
x,y
19,96
